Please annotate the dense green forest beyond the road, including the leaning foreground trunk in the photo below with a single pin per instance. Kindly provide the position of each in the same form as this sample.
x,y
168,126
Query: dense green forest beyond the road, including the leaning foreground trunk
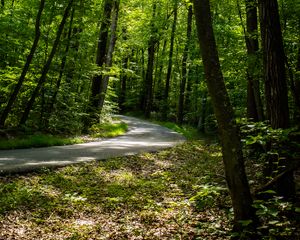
x,y
66,65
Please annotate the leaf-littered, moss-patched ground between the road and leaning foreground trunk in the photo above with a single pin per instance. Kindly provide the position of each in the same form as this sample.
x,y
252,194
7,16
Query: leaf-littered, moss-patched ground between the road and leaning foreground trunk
x,y
174,194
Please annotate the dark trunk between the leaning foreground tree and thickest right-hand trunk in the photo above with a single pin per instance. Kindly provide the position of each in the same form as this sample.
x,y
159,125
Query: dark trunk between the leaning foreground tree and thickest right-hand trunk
x,y
254,103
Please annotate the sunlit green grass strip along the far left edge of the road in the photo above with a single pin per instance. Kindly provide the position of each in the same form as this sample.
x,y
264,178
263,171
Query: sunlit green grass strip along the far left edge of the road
x,y
45,140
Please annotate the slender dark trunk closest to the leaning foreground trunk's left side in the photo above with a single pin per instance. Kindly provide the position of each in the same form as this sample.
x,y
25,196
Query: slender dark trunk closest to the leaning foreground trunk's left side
x,y
184,67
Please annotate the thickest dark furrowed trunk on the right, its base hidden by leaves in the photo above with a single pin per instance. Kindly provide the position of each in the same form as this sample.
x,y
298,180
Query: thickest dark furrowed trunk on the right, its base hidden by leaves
x,y
275,78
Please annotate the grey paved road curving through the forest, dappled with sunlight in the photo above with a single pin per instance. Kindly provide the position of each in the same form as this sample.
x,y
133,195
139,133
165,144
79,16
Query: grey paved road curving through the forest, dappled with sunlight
x,y
142,136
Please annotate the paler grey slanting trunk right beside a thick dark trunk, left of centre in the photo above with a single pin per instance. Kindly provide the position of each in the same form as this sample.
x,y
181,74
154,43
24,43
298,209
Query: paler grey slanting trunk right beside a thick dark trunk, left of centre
x,y
109,56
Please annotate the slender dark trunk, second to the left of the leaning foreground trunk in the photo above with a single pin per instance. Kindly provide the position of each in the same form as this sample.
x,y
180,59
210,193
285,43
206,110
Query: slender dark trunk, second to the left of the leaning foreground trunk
x,y
170,64
